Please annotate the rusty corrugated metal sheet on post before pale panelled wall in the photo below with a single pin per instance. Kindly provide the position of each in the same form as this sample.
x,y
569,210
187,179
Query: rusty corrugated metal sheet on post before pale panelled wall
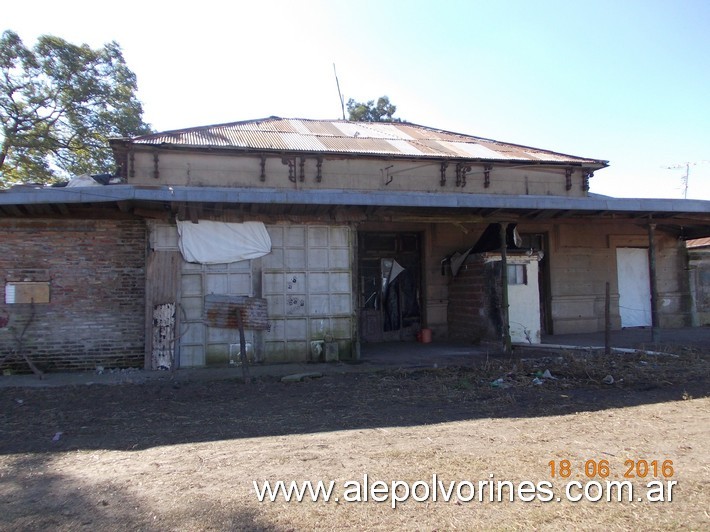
x,y
225,312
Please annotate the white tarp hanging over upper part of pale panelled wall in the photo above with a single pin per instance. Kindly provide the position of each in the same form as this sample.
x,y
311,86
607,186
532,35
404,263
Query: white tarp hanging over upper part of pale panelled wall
x,y
210,242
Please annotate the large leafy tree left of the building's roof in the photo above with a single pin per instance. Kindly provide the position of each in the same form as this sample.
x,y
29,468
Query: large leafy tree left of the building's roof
x,y
59,104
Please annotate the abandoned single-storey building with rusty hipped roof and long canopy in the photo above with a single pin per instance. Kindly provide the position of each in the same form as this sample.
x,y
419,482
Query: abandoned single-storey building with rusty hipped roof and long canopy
x,y
349,233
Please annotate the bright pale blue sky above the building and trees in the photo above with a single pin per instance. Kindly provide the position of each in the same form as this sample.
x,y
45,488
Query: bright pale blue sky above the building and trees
x,y
627,81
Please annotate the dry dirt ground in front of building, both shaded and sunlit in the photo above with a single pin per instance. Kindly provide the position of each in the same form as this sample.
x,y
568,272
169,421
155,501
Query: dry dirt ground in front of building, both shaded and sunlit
x,y
165,455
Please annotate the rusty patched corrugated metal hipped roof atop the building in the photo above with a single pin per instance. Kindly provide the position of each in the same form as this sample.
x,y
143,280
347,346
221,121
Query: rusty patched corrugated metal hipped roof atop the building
x,y
357,138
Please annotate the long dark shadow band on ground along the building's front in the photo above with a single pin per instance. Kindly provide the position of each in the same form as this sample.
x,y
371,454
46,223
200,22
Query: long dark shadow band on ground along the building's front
x,y
157,413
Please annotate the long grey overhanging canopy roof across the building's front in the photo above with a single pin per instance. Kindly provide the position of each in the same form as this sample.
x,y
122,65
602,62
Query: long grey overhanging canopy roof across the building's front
x,y
689,218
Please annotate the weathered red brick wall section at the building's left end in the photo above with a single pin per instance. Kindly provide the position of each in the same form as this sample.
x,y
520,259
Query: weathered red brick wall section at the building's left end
x,y
96,275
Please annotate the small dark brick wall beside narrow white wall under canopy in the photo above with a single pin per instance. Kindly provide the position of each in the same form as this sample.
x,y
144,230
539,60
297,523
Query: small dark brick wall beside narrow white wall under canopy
x,y
474,301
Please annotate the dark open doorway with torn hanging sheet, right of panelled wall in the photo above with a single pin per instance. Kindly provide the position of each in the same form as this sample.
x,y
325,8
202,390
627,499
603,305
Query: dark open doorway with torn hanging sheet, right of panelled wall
x,y
389,291
